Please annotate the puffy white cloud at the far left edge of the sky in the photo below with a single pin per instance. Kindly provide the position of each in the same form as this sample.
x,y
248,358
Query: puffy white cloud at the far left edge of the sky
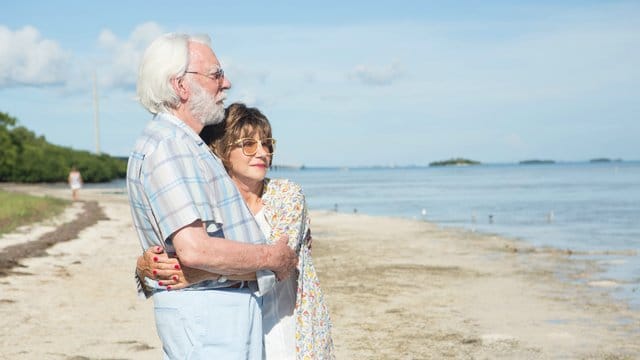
x,y
29,60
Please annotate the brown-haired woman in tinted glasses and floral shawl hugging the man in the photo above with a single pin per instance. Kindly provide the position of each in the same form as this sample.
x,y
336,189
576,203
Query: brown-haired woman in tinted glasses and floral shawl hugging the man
x,y
295,318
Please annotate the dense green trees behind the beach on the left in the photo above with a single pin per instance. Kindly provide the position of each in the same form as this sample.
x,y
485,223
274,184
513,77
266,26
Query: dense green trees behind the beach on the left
x,y
25,157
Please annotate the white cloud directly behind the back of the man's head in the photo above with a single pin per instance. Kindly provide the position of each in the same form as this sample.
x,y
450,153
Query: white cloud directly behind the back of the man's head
x,y
118,67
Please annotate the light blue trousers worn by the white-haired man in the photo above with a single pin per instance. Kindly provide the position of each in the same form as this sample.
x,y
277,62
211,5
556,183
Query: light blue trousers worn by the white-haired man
x,y
209,324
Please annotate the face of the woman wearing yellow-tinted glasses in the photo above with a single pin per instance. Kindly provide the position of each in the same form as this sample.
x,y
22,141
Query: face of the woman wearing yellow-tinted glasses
x,y
250,169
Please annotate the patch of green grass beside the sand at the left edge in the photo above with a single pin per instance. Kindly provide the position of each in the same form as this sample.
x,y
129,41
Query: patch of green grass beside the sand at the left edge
x,y
21,209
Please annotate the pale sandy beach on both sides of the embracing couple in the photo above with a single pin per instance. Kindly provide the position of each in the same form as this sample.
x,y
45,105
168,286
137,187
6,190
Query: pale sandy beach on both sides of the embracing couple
x,y
397,289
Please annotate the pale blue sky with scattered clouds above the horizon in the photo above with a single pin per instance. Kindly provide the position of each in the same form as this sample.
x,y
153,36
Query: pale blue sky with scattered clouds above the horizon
x,y
349,83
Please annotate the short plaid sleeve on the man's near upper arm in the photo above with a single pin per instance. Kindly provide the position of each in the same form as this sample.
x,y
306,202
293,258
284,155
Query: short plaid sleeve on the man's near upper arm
x,y
177,188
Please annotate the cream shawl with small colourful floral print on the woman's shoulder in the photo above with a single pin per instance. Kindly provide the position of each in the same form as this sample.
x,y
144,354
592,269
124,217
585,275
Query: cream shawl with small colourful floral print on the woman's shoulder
x,y
286,211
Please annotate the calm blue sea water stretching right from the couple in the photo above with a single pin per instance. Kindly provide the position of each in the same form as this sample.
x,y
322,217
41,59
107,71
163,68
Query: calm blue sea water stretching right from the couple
x,y
585,207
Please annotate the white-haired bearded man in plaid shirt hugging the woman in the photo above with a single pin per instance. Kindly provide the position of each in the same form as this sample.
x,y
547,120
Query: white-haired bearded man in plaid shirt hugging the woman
x,y
183,200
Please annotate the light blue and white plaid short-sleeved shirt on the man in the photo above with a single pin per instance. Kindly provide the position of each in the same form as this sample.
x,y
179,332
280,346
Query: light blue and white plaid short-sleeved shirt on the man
x,y
173,179
